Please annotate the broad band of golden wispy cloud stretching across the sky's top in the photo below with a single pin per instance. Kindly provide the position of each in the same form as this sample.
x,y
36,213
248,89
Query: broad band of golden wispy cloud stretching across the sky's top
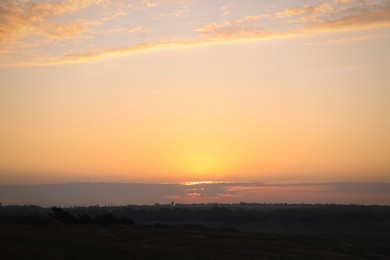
x,y
26,26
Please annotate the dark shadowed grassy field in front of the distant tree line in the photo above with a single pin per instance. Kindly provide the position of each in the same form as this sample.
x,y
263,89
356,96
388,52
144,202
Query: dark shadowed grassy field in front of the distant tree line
x,y
39,236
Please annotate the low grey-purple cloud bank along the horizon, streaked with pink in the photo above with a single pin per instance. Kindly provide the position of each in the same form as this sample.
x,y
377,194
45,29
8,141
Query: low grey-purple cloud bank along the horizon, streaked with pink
x,y
83,194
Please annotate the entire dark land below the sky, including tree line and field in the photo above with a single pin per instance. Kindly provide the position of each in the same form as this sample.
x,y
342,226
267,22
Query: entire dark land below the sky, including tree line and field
x,y
216,232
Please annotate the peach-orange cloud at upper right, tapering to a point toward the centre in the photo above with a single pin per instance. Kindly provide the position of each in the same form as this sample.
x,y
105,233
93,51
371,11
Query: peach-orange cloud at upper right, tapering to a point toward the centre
x,y
304,20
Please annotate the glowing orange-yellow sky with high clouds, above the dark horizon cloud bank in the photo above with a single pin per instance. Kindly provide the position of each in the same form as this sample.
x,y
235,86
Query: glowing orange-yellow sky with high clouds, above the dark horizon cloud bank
x,y
173,91
